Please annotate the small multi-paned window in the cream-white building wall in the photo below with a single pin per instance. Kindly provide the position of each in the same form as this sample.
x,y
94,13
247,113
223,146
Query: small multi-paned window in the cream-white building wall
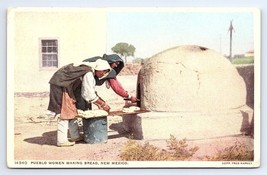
x,y
49,53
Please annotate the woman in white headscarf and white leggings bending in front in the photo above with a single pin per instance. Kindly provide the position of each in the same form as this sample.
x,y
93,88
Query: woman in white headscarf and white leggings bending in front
x,y
63,85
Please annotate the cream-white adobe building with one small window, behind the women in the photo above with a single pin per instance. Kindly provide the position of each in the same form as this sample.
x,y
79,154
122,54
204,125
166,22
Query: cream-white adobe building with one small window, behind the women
x,y
41,40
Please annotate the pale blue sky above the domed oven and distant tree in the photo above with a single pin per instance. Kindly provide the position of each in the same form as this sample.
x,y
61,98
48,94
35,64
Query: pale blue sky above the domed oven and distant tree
x,y
153,32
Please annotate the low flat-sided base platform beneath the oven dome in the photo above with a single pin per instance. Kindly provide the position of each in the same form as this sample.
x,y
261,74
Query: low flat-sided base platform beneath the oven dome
x,y
190,125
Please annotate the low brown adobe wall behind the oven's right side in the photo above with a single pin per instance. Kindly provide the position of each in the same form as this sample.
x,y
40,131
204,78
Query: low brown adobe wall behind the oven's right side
x,y
247,72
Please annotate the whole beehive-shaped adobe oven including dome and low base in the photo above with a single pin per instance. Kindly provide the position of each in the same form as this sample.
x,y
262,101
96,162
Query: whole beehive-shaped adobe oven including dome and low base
x,y
192,92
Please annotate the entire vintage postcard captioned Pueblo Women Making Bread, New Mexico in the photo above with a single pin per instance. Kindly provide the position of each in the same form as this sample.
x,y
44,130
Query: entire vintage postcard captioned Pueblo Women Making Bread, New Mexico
x,y
133,87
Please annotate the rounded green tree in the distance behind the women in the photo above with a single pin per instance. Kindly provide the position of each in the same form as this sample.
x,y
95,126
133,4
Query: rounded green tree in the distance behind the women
x,y
124,49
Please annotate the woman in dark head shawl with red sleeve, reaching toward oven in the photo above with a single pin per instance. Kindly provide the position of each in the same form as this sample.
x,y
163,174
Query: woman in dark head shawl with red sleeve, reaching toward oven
x,y
117,64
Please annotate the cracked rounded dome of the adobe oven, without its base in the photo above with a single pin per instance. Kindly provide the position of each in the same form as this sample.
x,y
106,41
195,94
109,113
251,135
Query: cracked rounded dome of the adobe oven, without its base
x,y
190,78
